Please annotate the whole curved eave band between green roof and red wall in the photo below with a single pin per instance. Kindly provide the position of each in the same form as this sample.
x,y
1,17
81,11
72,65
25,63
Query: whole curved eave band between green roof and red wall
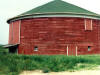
x,y
56,14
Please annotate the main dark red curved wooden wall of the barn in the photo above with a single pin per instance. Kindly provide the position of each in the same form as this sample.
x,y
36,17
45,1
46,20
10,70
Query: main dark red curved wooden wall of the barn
x,y
54,35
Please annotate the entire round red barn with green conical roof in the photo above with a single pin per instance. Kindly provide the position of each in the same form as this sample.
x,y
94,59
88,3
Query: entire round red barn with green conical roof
x,y
57,27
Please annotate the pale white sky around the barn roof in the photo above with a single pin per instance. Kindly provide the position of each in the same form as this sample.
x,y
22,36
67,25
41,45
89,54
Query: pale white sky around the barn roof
x,y
11,8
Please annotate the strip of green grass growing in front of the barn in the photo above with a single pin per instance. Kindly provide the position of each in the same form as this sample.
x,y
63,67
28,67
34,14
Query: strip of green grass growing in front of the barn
x,y
13,64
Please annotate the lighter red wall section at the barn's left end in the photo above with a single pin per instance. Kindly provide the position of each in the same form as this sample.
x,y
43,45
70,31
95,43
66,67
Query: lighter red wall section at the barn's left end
x,y
14,31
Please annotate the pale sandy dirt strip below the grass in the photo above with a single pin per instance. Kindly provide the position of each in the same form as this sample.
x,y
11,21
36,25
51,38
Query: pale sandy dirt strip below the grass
x,y
84,72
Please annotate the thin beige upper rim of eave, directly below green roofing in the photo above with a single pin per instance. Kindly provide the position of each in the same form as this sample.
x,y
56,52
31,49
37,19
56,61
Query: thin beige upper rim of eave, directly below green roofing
x,y
57,13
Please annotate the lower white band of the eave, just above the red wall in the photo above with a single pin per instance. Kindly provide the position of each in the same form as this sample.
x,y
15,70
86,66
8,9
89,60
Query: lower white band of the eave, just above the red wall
x,y
52,15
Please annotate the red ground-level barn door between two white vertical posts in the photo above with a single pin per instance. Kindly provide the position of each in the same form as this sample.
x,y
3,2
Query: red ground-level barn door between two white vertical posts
x,y
72,50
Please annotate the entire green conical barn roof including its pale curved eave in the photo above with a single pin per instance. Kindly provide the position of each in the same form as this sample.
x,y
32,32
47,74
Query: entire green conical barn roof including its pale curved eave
x,y
57,8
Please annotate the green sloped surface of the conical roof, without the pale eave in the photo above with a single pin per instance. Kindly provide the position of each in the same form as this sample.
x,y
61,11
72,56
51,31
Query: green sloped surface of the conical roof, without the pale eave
x,y
58,6
